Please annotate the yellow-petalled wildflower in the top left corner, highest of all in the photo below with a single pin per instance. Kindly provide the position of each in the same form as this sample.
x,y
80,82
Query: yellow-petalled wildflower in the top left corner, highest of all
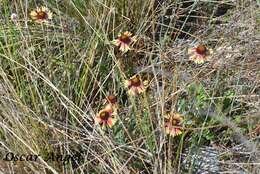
x,y
41,15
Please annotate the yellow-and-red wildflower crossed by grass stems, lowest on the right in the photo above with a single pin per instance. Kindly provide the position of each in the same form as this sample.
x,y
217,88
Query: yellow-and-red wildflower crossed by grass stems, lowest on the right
x,y
172,124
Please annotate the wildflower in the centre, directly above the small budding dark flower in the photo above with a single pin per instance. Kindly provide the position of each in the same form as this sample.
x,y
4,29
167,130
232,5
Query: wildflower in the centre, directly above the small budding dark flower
x,y
135,85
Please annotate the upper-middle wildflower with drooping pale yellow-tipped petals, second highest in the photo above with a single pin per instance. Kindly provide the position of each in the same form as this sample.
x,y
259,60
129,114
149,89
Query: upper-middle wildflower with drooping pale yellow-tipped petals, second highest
x,y
123,41
